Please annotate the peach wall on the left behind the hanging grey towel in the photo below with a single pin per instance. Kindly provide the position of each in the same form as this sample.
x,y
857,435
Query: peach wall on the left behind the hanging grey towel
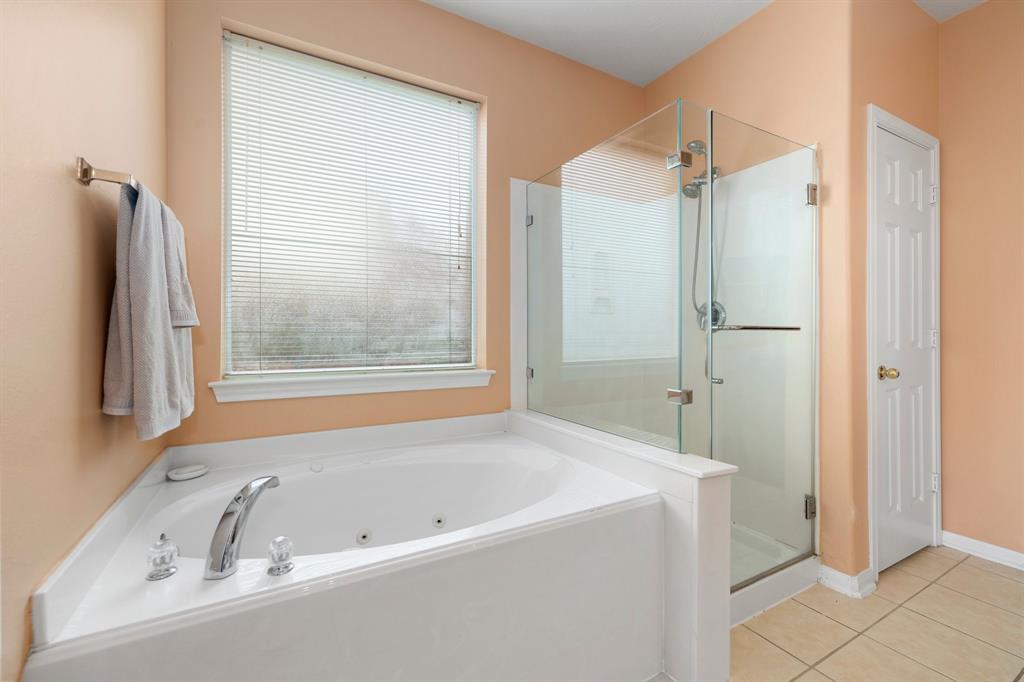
x,y
83,78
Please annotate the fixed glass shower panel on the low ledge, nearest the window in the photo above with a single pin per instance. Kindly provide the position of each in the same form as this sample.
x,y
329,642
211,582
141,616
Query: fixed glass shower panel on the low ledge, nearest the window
x,y
604,293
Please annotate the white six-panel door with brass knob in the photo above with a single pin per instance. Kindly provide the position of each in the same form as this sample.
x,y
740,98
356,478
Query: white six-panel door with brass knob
x,y
905,331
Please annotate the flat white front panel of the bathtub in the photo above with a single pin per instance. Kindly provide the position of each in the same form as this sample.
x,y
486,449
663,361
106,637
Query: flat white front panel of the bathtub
x,y
580,602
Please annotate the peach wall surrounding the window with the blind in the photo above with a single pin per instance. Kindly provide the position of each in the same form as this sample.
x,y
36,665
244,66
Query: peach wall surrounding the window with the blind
x,y
540,109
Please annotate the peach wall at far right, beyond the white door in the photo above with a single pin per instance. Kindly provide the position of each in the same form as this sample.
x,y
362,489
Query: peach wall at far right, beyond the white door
x,y
982,125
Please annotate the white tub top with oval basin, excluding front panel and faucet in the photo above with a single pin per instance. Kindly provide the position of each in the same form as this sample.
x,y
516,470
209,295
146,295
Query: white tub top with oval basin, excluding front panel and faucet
x,y
489,488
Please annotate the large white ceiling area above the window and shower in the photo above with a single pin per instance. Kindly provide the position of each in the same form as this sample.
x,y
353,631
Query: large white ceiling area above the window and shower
x,y
636,40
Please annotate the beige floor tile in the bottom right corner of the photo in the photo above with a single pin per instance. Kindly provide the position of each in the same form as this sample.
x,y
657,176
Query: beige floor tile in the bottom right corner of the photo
x,y
944,649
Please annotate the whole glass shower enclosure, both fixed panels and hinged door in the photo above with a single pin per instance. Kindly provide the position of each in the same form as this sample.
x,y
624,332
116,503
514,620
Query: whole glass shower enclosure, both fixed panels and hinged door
x,y
672,300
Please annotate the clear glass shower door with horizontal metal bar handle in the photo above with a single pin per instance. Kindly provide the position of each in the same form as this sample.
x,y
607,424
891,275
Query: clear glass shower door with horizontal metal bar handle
x,y
761,339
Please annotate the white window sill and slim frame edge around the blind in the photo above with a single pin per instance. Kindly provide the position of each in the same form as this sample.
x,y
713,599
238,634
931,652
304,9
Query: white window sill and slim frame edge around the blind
x,y
310,383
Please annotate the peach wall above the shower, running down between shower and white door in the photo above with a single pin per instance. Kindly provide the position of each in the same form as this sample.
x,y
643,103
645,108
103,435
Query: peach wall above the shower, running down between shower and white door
x,y
787,70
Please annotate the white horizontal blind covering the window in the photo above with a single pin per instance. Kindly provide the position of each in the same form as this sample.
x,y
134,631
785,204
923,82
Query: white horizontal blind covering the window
x,y
350,218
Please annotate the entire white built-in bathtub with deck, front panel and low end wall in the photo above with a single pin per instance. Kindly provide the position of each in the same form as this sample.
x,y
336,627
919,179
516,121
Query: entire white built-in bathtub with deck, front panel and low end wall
x,y
644,553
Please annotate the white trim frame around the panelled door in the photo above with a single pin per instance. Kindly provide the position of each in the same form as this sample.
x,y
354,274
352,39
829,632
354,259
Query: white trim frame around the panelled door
x,y
879,119
